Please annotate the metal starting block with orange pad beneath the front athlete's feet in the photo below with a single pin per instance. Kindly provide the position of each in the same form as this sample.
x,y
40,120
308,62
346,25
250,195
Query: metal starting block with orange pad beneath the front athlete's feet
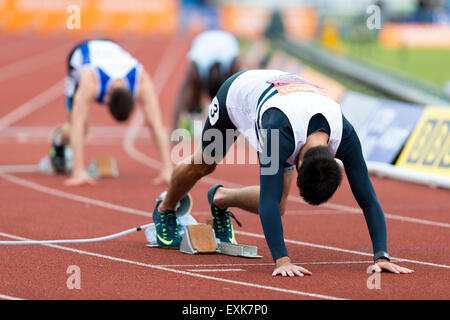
x,y
198,239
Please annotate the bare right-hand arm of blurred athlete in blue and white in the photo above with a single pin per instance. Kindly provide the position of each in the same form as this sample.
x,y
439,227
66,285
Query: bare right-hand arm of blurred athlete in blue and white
x,y
152,113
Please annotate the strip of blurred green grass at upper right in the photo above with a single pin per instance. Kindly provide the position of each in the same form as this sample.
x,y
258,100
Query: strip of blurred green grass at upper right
x,y
431,65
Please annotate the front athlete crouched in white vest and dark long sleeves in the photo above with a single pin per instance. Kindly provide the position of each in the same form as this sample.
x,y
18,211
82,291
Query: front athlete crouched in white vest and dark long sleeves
x,y
294,126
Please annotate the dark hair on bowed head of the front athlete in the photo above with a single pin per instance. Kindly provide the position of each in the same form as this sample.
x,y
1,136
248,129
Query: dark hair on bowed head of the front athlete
x,y
319,175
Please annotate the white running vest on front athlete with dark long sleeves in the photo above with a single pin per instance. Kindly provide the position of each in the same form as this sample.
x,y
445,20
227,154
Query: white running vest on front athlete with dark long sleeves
x,y
297,98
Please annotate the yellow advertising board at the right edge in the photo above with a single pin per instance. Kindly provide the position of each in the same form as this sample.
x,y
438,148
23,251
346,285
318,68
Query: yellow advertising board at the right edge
x,y
428,148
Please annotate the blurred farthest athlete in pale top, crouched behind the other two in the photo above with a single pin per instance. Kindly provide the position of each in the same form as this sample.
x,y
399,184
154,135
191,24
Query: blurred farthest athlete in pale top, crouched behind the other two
x,y
213,57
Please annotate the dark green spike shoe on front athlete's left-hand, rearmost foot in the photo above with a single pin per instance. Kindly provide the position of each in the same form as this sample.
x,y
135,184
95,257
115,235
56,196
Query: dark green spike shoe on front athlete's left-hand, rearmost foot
x,y
166,227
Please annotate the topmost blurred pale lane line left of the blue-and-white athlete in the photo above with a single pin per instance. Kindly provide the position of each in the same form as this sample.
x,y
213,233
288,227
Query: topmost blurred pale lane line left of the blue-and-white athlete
x,y
32,63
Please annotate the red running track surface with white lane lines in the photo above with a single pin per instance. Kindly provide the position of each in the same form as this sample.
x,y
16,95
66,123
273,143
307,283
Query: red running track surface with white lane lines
x,y
331,240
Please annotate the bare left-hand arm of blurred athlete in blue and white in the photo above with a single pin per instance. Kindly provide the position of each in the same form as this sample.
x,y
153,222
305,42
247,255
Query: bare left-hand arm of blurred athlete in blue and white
x,y
79,122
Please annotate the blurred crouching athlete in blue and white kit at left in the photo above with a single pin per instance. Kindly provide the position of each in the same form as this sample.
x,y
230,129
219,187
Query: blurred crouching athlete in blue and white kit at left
x,y
101,71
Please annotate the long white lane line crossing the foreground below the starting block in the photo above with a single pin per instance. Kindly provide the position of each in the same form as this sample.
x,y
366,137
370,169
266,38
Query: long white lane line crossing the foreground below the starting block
x,y
146,265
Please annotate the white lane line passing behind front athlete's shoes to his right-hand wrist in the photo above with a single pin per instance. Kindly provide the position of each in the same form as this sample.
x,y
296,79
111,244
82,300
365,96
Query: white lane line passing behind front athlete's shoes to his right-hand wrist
x,y
120,208
